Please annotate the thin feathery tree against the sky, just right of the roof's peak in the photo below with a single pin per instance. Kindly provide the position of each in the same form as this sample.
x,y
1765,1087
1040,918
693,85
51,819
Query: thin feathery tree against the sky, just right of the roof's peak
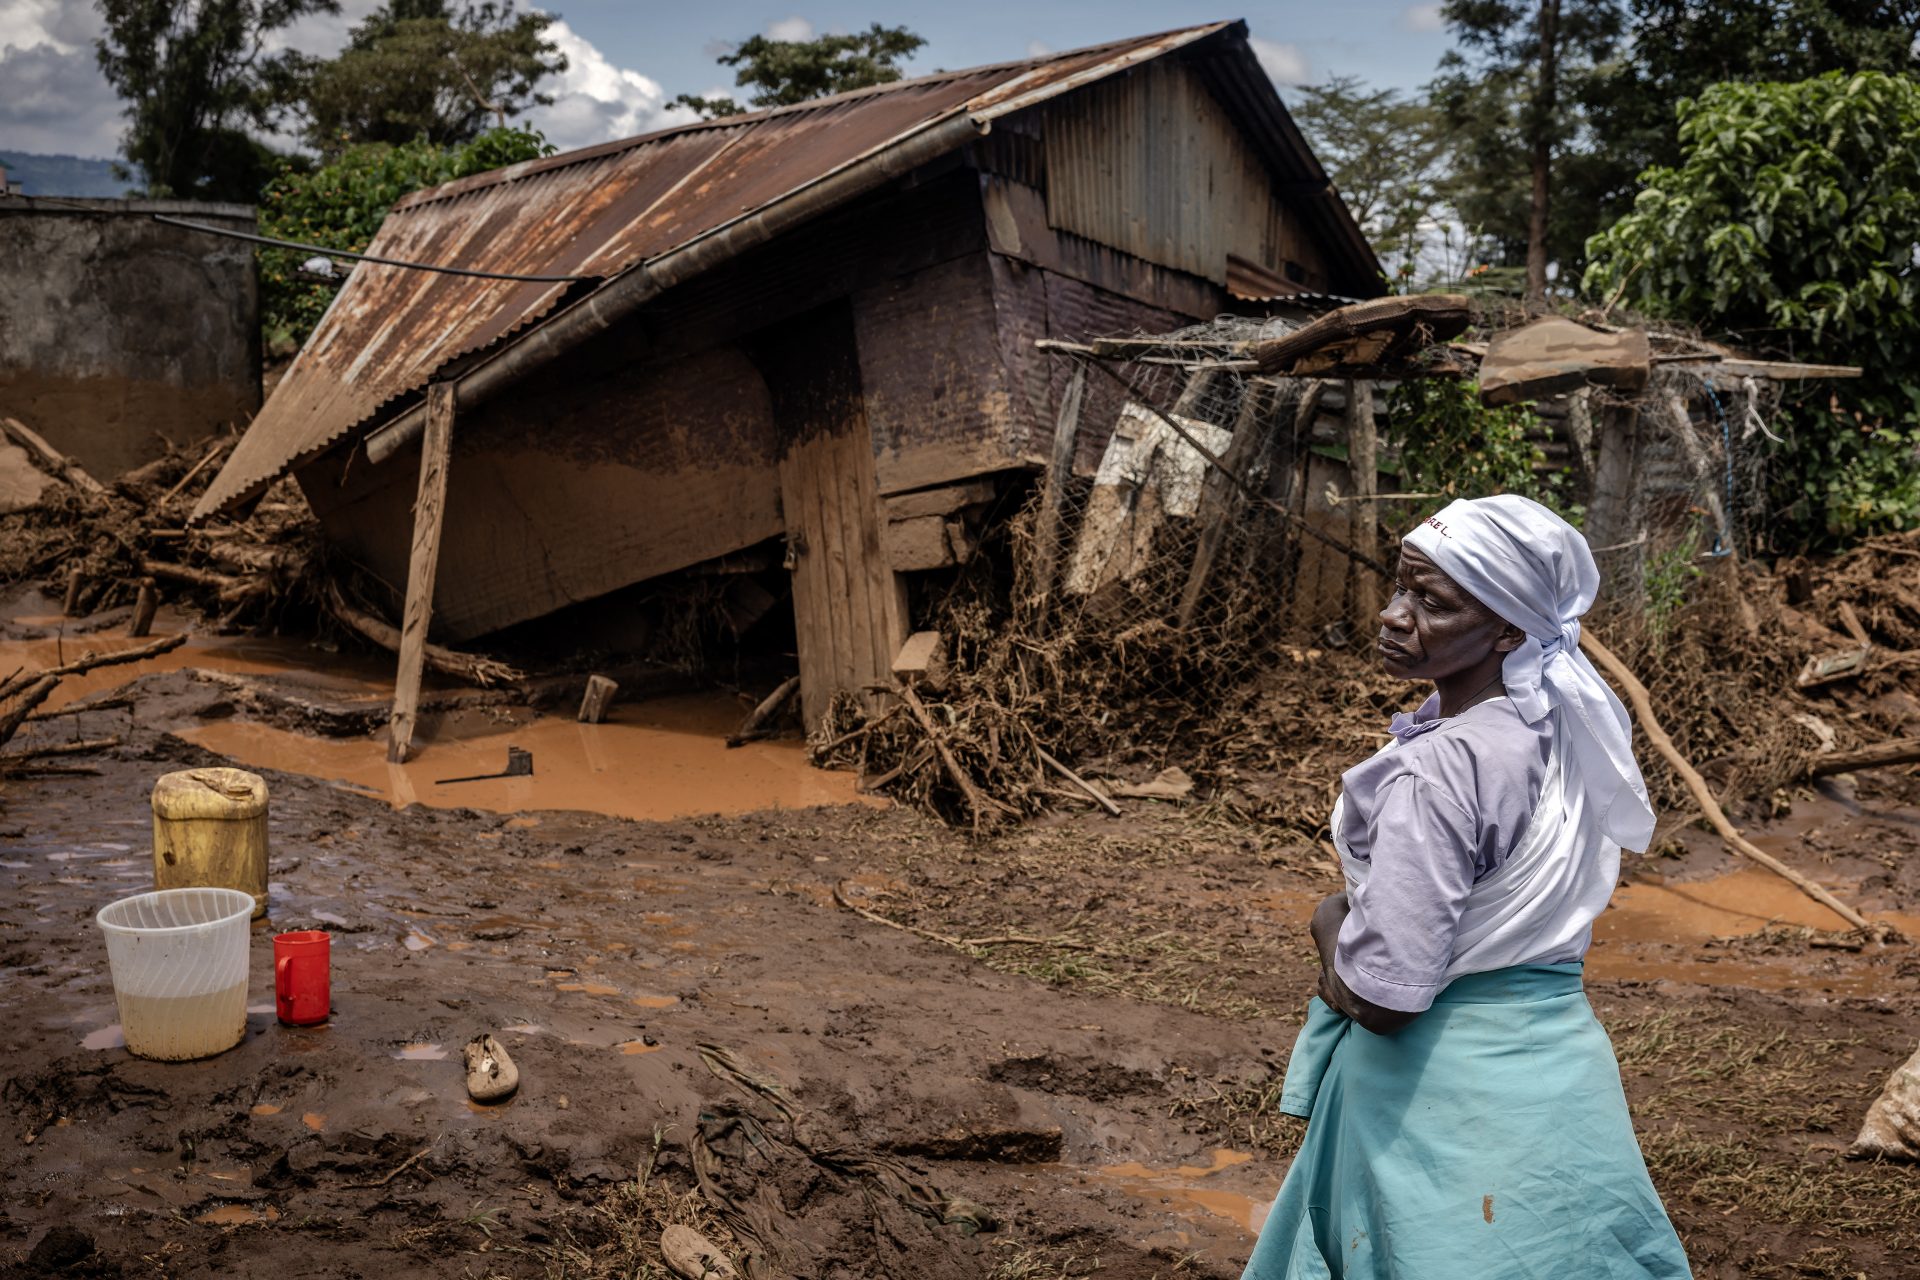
x,y
1385,156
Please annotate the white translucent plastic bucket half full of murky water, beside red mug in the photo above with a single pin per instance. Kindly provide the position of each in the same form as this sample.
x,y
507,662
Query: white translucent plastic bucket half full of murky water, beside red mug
x,y
180,970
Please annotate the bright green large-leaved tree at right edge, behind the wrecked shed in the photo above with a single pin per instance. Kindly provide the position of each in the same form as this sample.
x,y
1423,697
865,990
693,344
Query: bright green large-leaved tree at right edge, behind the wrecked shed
x,y
1792,222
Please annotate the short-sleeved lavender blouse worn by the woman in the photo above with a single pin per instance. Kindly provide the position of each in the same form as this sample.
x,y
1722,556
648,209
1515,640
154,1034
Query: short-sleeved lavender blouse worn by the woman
x,y
1433,817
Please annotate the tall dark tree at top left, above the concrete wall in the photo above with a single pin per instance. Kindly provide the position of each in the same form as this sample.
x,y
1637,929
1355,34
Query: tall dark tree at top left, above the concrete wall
x,y
195,78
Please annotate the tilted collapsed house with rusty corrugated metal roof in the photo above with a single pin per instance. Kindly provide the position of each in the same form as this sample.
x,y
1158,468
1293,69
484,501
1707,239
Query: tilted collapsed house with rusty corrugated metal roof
x,y
805,331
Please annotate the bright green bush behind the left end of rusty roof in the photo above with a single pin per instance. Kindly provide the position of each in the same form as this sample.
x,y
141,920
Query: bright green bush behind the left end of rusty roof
x,y
341,206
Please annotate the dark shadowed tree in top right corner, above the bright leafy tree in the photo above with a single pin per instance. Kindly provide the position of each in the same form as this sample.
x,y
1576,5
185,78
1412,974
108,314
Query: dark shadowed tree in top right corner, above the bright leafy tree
x,y
1681,47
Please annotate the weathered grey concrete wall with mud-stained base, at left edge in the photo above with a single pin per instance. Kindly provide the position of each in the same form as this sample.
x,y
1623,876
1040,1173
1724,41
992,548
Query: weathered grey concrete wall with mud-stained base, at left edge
x,y
120,333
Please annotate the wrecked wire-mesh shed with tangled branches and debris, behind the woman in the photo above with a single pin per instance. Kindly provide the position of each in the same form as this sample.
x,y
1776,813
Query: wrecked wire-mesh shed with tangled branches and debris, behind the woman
x,y
1189,588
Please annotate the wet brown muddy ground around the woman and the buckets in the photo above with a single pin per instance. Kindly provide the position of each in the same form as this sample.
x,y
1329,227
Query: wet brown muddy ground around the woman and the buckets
x,y
1047,1055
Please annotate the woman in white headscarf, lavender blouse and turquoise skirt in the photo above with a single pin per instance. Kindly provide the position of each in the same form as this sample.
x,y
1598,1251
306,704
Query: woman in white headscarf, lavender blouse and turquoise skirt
x,y
1468,1120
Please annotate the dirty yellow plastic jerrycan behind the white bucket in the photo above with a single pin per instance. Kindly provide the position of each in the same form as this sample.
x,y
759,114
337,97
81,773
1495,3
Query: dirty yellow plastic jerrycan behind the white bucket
x,y
210,832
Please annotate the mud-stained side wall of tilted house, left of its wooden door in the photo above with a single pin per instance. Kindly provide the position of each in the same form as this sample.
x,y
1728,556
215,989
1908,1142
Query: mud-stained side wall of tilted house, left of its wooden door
x,y
577,483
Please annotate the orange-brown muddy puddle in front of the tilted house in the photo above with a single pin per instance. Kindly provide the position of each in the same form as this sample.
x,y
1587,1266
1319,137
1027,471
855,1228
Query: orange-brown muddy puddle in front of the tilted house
x,y
654,761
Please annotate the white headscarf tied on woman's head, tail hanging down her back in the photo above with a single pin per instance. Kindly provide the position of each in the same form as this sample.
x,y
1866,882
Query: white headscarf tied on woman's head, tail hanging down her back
x,y
1537,573
